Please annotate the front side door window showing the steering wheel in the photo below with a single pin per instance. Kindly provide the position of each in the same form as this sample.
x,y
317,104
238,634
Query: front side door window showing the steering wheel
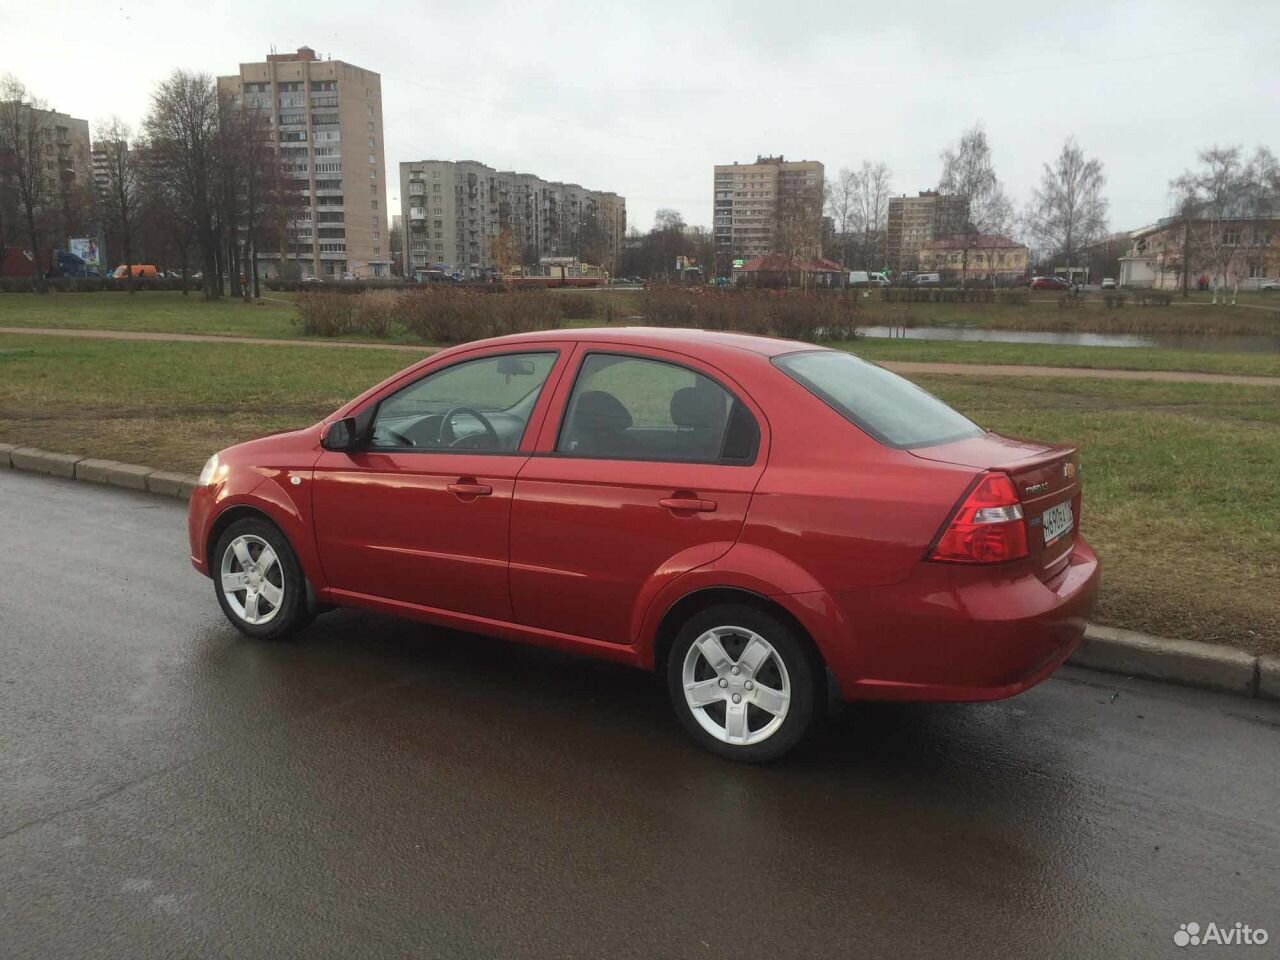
x,y
478,405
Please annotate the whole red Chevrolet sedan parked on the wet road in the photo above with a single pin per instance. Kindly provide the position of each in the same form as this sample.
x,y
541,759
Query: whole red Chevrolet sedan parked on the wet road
x,y
749,516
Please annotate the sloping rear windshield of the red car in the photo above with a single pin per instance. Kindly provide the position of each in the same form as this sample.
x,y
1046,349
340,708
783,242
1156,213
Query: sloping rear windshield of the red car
x,y
893,410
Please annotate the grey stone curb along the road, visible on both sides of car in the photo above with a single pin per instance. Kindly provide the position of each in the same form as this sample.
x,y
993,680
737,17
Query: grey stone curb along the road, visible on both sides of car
x,y
1107,650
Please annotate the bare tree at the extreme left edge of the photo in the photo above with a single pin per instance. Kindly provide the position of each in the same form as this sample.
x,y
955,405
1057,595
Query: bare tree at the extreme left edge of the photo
x,y
25,129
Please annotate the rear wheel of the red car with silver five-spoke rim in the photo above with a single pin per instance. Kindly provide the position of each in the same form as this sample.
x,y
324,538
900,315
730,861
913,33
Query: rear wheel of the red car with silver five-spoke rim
x,y
744,684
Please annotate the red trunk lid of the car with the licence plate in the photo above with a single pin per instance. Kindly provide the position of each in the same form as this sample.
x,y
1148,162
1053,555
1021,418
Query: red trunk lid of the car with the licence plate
x,y
1048,479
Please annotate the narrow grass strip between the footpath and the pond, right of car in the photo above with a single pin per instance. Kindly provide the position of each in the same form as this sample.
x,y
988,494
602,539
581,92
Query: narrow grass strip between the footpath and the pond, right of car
x,y
1052,355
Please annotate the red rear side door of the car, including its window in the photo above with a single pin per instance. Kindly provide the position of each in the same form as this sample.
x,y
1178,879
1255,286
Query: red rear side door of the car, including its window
x,y
644,470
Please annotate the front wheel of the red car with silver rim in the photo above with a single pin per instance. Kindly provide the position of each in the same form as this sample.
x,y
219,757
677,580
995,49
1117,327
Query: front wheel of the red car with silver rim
x,y
263,598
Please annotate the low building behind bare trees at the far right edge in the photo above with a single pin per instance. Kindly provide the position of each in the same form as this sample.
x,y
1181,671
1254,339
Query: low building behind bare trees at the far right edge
x,y
1220,253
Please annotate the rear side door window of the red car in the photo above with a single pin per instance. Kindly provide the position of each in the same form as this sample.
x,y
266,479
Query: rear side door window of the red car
x,y
628,408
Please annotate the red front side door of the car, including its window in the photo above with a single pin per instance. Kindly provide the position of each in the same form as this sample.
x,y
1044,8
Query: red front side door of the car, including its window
x,y
422,513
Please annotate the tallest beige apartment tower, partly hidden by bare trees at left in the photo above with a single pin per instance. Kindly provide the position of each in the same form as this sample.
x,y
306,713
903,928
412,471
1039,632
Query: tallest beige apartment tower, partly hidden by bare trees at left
x,y
328,124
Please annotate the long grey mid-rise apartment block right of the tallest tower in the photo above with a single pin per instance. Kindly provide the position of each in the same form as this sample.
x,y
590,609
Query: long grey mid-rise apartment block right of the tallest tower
x,y
464,217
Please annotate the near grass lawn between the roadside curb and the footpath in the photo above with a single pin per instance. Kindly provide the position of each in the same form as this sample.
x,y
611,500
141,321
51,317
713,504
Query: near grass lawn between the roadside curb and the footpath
x,y
1182,499
